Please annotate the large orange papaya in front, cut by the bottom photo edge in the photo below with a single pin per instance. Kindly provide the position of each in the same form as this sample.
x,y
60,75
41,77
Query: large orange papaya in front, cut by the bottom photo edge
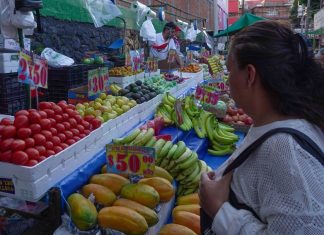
x,y
122,219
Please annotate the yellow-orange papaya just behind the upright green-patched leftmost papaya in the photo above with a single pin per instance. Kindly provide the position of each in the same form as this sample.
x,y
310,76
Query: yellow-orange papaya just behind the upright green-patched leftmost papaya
x,y
103,195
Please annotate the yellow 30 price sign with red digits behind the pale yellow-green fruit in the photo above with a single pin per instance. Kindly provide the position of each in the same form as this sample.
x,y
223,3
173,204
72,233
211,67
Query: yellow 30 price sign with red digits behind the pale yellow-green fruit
x,y
97,81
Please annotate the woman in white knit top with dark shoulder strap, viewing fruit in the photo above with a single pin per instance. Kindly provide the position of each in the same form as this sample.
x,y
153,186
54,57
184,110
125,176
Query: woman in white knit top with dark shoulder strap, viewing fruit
x,y
280,184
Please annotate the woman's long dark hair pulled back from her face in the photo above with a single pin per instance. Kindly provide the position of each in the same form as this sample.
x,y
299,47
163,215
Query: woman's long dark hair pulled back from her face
x,y
294,80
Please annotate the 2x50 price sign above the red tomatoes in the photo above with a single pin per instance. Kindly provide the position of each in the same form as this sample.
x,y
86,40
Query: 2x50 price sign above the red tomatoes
x,y
32,70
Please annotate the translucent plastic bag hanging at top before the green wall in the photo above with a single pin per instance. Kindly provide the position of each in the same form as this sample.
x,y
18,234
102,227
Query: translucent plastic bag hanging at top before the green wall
x,y
102,11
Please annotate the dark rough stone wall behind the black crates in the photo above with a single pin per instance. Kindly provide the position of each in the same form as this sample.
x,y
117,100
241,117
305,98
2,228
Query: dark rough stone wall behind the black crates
x,y
73,39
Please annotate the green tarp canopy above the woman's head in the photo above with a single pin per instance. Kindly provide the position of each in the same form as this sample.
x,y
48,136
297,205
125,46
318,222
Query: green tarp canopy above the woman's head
x,y
245,20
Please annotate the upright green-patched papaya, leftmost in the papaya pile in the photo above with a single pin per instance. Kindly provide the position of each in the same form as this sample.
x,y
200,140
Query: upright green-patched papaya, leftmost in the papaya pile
x,y
82,211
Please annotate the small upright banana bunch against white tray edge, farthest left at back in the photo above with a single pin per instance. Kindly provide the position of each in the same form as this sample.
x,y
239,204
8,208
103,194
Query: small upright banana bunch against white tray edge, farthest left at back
x,y
166,108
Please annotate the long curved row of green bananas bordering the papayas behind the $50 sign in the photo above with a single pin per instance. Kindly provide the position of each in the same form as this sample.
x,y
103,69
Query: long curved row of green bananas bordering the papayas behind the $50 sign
x,y
178,159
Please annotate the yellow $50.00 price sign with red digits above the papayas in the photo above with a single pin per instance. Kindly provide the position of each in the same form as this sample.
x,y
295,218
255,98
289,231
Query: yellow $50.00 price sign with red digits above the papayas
x,y
135,160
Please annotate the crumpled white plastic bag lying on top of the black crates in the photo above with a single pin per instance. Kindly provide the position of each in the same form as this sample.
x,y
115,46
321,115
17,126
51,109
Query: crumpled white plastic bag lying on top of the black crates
x,y
56,59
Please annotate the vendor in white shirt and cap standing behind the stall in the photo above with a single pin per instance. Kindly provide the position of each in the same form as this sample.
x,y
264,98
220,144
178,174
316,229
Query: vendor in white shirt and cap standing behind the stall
x,y
164,44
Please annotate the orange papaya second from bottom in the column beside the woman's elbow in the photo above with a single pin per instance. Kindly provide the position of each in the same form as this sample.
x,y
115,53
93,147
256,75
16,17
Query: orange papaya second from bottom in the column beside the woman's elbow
x,y
190,220
